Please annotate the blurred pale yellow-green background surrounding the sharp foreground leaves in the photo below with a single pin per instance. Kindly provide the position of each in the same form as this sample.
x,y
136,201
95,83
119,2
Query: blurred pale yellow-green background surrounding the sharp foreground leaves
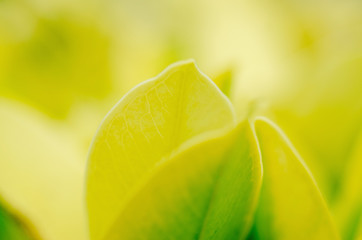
x,y
65,63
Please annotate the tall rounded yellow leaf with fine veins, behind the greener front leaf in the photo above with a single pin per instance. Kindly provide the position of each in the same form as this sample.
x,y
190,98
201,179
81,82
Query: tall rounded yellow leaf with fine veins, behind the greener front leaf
x,y
142,130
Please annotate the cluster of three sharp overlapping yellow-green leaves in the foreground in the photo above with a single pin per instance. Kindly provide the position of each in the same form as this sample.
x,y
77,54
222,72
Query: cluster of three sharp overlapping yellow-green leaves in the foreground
x,y
168,163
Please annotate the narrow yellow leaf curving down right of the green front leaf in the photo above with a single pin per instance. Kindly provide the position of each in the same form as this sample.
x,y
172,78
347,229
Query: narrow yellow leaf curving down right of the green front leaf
x,y
291,205
